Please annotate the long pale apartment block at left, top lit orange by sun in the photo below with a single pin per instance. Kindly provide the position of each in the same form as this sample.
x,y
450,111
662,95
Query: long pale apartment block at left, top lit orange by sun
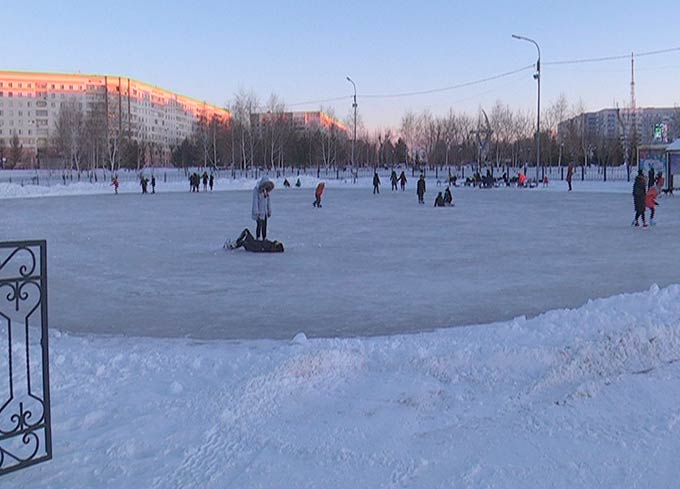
x,y
30,104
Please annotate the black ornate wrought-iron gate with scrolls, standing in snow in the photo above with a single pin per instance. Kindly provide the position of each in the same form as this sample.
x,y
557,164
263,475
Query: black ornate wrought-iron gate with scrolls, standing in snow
x,y
25,430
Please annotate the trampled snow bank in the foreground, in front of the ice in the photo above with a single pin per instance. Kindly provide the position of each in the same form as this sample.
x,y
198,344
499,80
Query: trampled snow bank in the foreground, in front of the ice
x,y
571,398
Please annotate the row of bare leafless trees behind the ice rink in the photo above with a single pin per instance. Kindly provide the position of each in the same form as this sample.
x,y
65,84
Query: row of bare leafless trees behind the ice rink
x,y
264,135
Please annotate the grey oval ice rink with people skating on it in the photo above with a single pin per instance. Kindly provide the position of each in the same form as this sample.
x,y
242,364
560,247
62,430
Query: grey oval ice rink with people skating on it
x,y
153,265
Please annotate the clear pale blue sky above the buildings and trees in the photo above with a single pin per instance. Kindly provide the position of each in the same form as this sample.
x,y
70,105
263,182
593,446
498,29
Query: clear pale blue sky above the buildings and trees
x,y
304,50
